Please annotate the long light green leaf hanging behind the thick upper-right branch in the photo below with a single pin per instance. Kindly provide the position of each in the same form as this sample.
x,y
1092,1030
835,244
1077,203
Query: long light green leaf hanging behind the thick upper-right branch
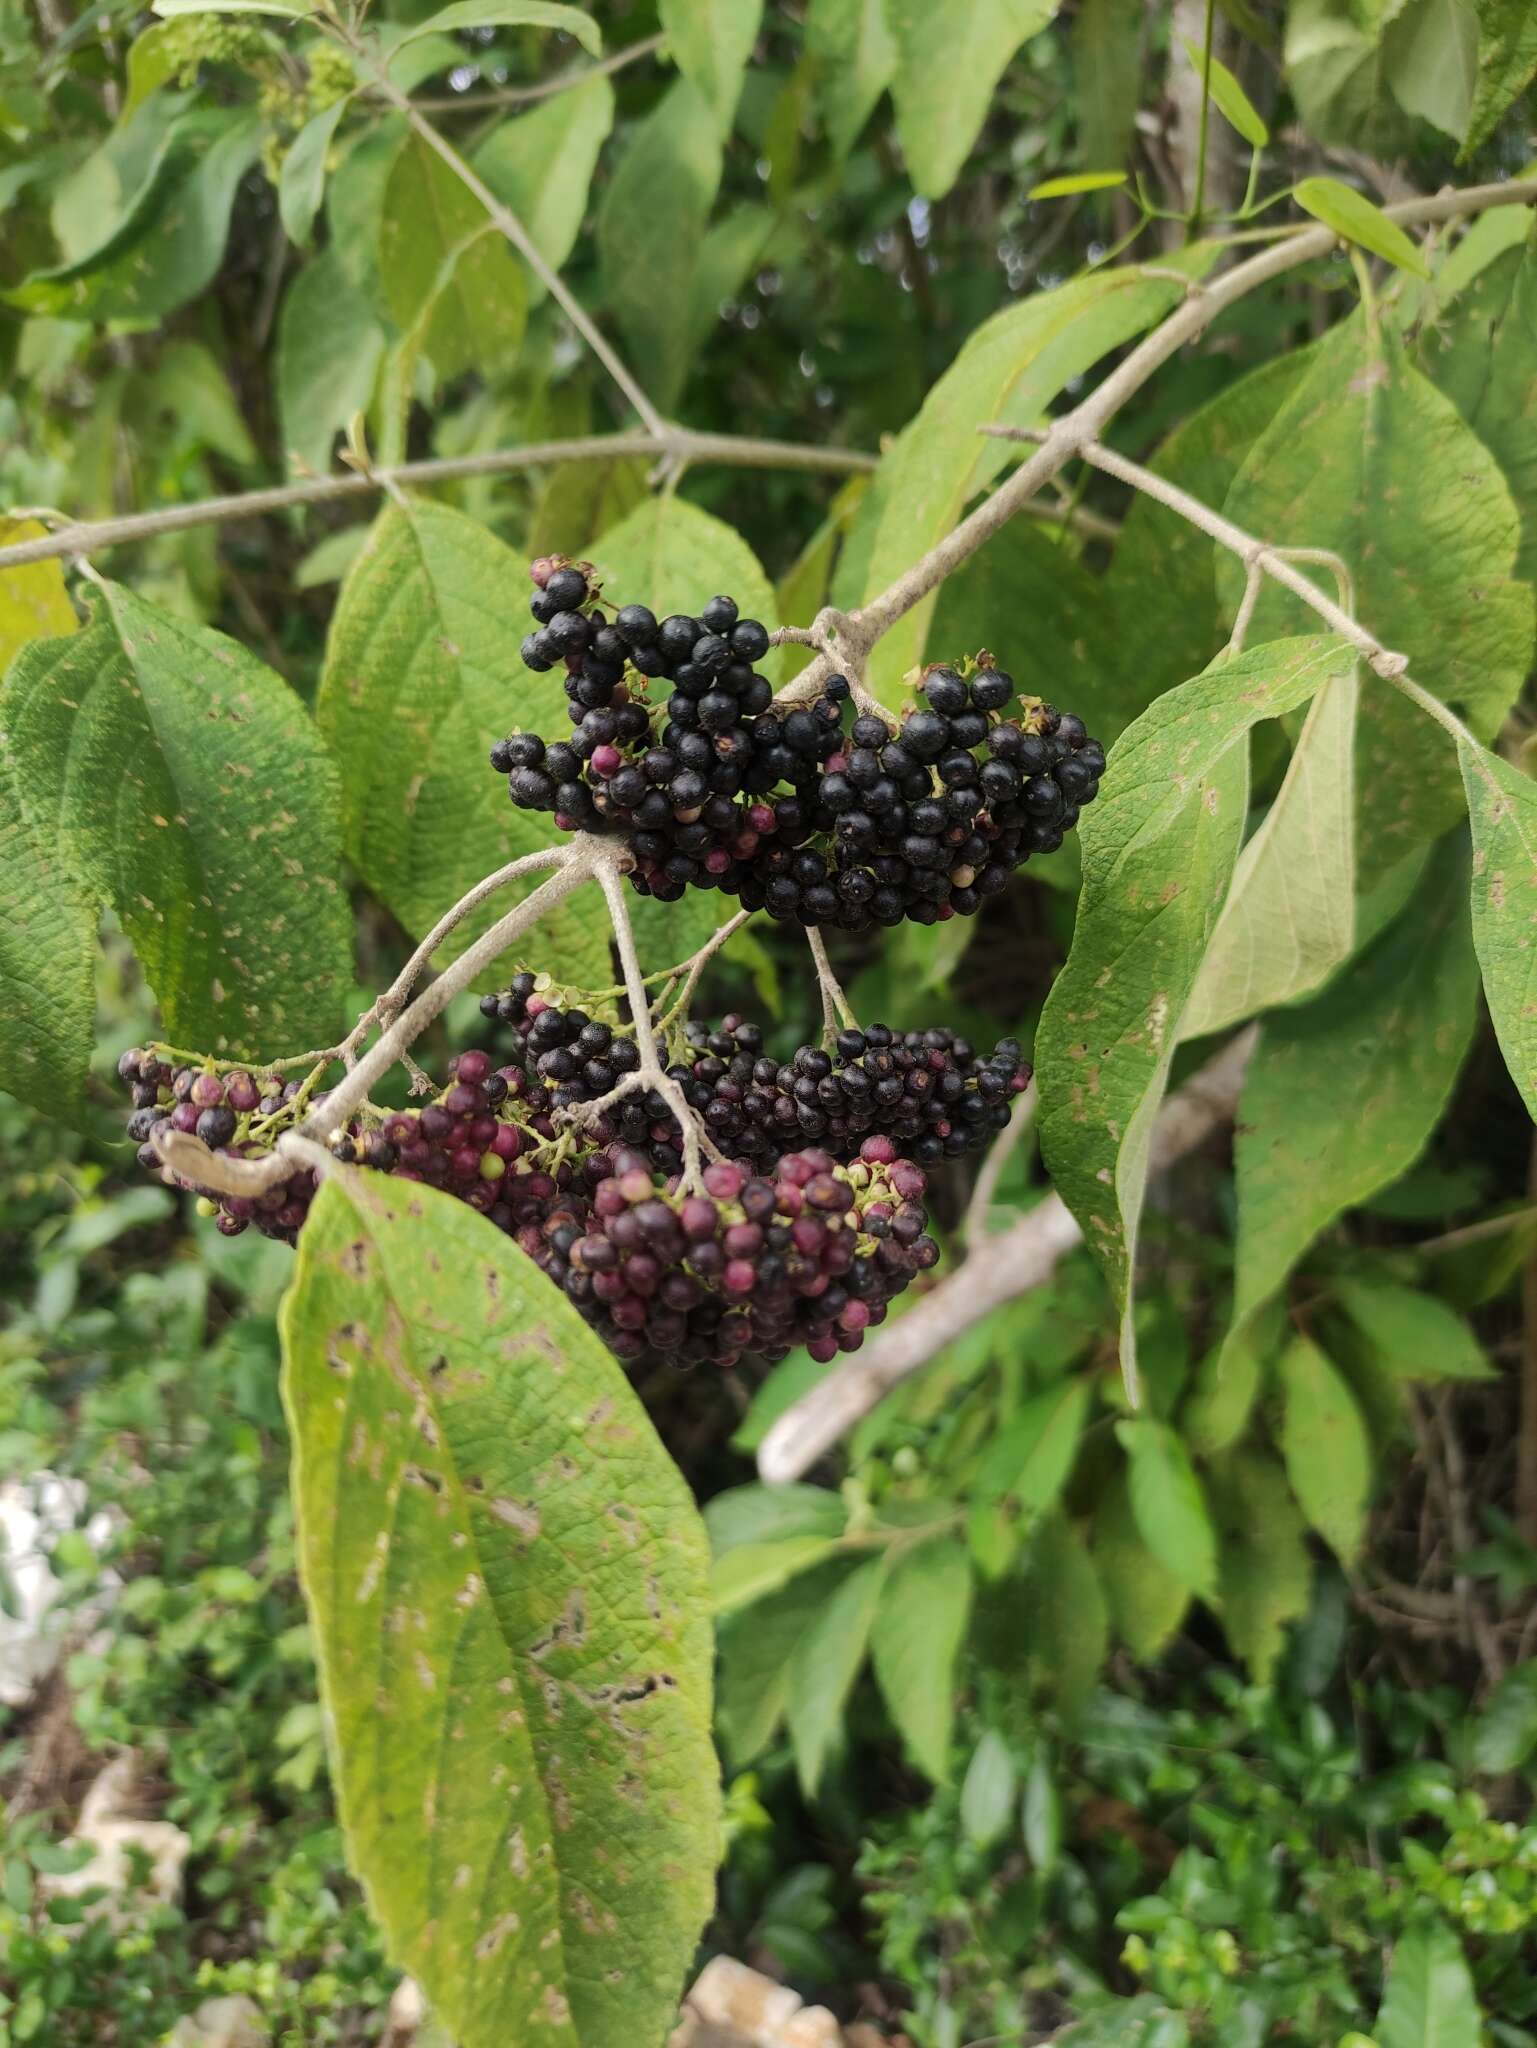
x,y
1009,370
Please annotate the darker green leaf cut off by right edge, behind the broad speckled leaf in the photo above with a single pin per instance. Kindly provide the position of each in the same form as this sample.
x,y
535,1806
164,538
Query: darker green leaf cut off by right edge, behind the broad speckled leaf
x,y
1485,357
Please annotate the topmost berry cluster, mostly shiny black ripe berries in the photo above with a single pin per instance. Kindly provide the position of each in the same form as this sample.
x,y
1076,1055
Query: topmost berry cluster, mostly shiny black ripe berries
x,y
802,812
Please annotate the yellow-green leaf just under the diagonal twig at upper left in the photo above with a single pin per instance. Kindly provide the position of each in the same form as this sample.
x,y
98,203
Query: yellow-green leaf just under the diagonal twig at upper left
x,y
444,263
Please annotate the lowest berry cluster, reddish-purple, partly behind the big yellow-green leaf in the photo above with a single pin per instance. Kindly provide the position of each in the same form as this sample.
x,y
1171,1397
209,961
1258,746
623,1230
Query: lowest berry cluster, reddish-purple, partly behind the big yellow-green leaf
x,y
804,1252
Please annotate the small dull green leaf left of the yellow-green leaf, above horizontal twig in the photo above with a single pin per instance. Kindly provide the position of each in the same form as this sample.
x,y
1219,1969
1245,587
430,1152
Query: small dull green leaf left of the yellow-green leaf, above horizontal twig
x,y
329,349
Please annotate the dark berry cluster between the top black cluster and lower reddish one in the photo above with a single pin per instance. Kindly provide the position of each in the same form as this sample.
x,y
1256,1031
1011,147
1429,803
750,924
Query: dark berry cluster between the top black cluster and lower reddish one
x,y
927,1095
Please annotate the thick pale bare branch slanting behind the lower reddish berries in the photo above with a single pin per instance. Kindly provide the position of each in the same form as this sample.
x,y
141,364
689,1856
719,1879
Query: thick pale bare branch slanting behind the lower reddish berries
x,y
1007,1267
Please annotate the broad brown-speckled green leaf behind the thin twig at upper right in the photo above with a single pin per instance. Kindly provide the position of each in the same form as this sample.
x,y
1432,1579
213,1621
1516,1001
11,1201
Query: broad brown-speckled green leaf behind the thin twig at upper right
x,y
1372,462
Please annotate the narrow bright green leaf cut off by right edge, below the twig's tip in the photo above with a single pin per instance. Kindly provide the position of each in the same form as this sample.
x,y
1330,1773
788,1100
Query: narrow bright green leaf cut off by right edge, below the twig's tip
x,y
1503,814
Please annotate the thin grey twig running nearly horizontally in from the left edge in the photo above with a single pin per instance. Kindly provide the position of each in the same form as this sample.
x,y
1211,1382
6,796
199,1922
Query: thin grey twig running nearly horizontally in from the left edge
x,y
85,538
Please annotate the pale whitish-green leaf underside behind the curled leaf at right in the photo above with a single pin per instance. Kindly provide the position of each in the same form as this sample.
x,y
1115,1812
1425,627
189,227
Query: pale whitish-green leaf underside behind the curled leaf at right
x,y
1290,916
